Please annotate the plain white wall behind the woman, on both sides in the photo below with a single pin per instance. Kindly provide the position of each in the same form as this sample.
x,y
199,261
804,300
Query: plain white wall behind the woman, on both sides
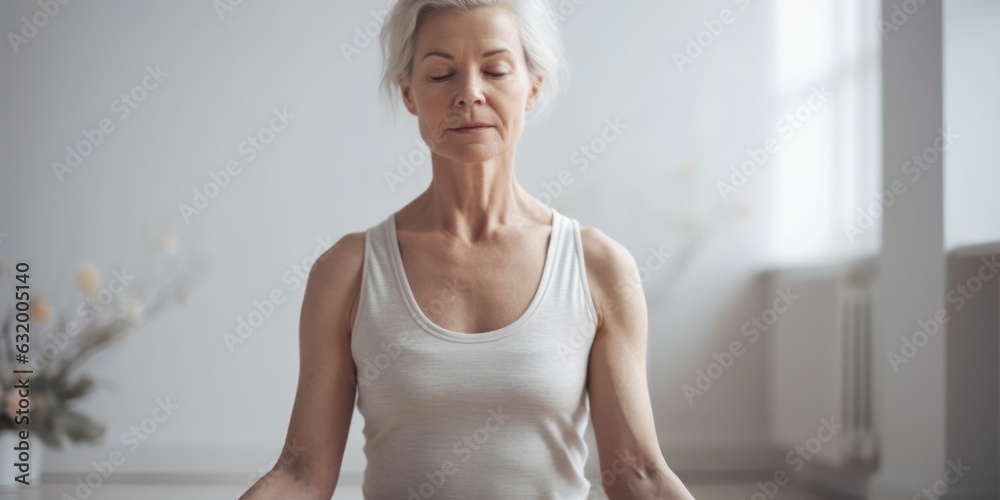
x,y
323,177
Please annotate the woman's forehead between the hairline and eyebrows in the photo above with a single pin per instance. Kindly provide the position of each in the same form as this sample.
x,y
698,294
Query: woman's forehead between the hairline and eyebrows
x,y
482,28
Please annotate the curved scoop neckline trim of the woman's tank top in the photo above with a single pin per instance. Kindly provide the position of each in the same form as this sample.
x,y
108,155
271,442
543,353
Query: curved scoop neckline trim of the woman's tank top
x,y
439,331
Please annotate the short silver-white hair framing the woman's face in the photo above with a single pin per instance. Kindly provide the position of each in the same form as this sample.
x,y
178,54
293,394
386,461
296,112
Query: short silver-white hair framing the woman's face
x,y
536,21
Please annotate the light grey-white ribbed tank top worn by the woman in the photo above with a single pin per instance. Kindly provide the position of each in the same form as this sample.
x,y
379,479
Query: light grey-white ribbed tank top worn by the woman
x,y
493,415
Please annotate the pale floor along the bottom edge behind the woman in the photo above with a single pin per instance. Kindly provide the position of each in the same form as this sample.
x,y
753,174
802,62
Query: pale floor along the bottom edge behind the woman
x,y
163,492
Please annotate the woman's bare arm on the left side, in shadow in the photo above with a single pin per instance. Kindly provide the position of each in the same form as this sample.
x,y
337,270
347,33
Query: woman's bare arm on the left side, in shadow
x,y
309,464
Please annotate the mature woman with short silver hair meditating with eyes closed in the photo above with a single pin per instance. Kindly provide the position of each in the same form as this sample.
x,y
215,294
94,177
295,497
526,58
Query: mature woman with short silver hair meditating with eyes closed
x,y
474,323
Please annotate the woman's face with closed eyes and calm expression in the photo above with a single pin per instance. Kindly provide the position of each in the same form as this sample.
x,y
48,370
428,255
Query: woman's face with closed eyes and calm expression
x,y
470,68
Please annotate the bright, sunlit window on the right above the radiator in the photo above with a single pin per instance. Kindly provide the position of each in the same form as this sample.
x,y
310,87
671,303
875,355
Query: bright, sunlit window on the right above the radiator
x,y
829,168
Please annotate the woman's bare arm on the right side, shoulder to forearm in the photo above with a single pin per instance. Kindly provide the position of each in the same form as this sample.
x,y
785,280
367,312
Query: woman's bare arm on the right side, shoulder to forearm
x,y
619,397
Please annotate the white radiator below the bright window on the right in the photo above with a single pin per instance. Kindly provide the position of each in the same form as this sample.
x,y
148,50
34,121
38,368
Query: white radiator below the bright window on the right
x,y
820,364
